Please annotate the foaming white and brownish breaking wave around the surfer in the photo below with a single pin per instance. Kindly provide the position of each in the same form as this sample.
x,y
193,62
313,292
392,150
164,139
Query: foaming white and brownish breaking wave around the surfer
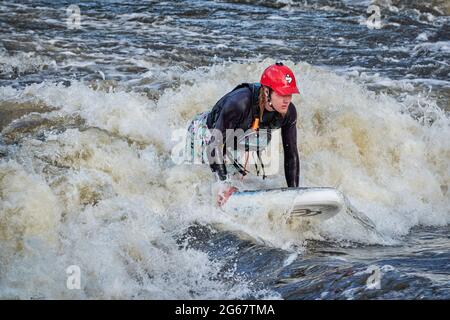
x,y
92,182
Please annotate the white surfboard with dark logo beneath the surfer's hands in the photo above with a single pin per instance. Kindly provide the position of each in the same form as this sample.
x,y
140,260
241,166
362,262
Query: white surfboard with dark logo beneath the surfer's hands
x,y
312,203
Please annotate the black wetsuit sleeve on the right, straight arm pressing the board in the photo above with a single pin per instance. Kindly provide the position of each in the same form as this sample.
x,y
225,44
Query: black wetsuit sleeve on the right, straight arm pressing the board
x,y
289,139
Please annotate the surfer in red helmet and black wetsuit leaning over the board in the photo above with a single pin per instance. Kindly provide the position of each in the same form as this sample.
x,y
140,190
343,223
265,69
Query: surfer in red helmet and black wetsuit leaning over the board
x,y
251,108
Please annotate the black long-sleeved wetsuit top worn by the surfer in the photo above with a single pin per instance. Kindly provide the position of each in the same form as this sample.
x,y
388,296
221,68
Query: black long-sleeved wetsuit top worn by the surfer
x,y
237,110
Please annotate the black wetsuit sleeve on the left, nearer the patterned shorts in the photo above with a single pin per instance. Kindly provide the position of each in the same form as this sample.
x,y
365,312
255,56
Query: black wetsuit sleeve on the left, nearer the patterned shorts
x,y
231,114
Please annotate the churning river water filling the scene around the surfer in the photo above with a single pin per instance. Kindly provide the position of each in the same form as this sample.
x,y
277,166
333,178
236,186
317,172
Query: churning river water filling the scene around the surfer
x,y
87,177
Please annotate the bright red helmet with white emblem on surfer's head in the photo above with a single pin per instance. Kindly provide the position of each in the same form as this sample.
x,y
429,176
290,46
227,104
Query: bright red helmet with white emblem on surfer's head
x,y
279,78
